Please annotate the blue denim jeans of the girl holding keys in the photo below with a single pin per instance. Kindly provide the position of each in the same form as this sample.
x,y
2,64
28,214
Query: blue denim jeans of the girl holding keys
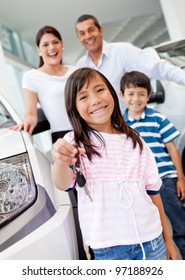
x,y
154,250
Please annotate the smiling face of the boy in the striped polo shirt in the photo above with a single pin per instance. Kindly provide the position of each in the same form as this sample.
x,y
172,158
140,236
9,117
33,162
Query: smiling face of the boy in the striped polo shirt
x,y
136,99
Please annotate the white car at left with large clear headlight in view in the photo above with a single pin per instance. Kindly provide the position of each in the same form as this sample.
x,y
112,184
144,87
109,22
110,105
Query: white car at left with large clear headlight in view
x,y
36,220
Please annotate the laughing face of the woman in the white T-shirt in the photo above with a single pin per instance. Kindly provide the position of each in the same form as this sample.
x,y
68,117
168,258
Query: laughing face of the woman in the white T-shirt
x,y
50,48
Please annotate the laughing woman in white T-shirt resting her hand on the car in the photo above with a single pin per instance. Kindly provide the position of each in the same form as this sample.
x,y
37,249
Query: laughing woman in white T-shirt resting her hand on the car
x,y
45,85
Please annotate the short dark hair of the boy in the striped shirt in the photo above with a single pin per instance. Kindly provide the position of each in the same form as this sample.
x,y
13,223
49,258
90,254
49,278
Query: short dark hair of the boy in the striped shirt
x,y
135,79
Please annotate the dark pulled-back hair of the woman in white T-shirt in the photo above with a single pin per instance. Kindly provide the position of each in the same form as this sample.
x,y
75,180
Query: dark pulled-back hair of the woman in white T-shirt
x,y
46,30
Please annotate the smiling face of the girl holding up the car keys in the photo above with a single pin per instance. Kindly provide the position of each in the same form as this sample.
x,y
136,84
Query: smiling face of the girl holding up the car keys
x,y
95,104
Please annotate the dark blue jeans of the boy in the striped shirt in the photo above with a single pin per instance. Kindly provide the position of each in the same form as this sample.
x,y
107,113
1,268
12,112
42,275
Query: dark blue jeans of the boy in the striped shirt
x,y
174,210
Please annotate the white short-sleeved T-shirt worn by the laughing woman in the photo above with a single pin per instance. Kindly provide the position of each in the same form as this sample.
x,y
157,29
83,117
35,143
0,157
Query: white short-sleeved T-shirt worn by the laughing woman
x,y
50,92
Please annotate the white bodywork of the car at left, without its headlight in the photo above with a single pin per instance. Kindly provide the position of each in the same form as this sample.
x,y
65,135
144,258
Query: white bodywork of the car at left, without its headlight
x,y
46,228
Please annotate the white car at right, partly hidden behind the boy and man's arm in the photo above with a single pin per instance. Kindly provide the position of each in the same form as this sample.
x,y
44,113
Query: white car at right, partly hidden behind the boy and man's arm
x,y
169,97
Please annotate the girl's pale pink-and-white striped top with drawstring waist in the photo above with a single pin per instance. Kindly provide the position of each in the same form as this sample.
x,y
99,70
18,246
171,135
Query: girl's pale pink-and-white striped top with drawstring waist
x,y
122,212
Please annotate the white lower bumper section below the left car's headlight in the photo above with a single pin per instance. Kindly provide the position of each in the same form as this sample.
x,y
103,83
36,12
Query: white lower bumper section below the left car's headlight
x,y
43,244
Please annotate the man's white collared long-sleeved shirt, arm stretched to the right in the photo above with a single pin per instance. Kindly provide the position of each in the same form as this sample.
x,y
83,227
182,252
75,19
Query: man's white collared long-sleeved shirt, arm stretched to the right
x,y
119,58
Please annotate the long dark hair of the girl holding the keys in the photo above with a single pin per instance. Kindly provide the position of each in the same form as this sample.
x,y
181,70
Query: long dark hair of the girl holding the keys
x,y
82,131
